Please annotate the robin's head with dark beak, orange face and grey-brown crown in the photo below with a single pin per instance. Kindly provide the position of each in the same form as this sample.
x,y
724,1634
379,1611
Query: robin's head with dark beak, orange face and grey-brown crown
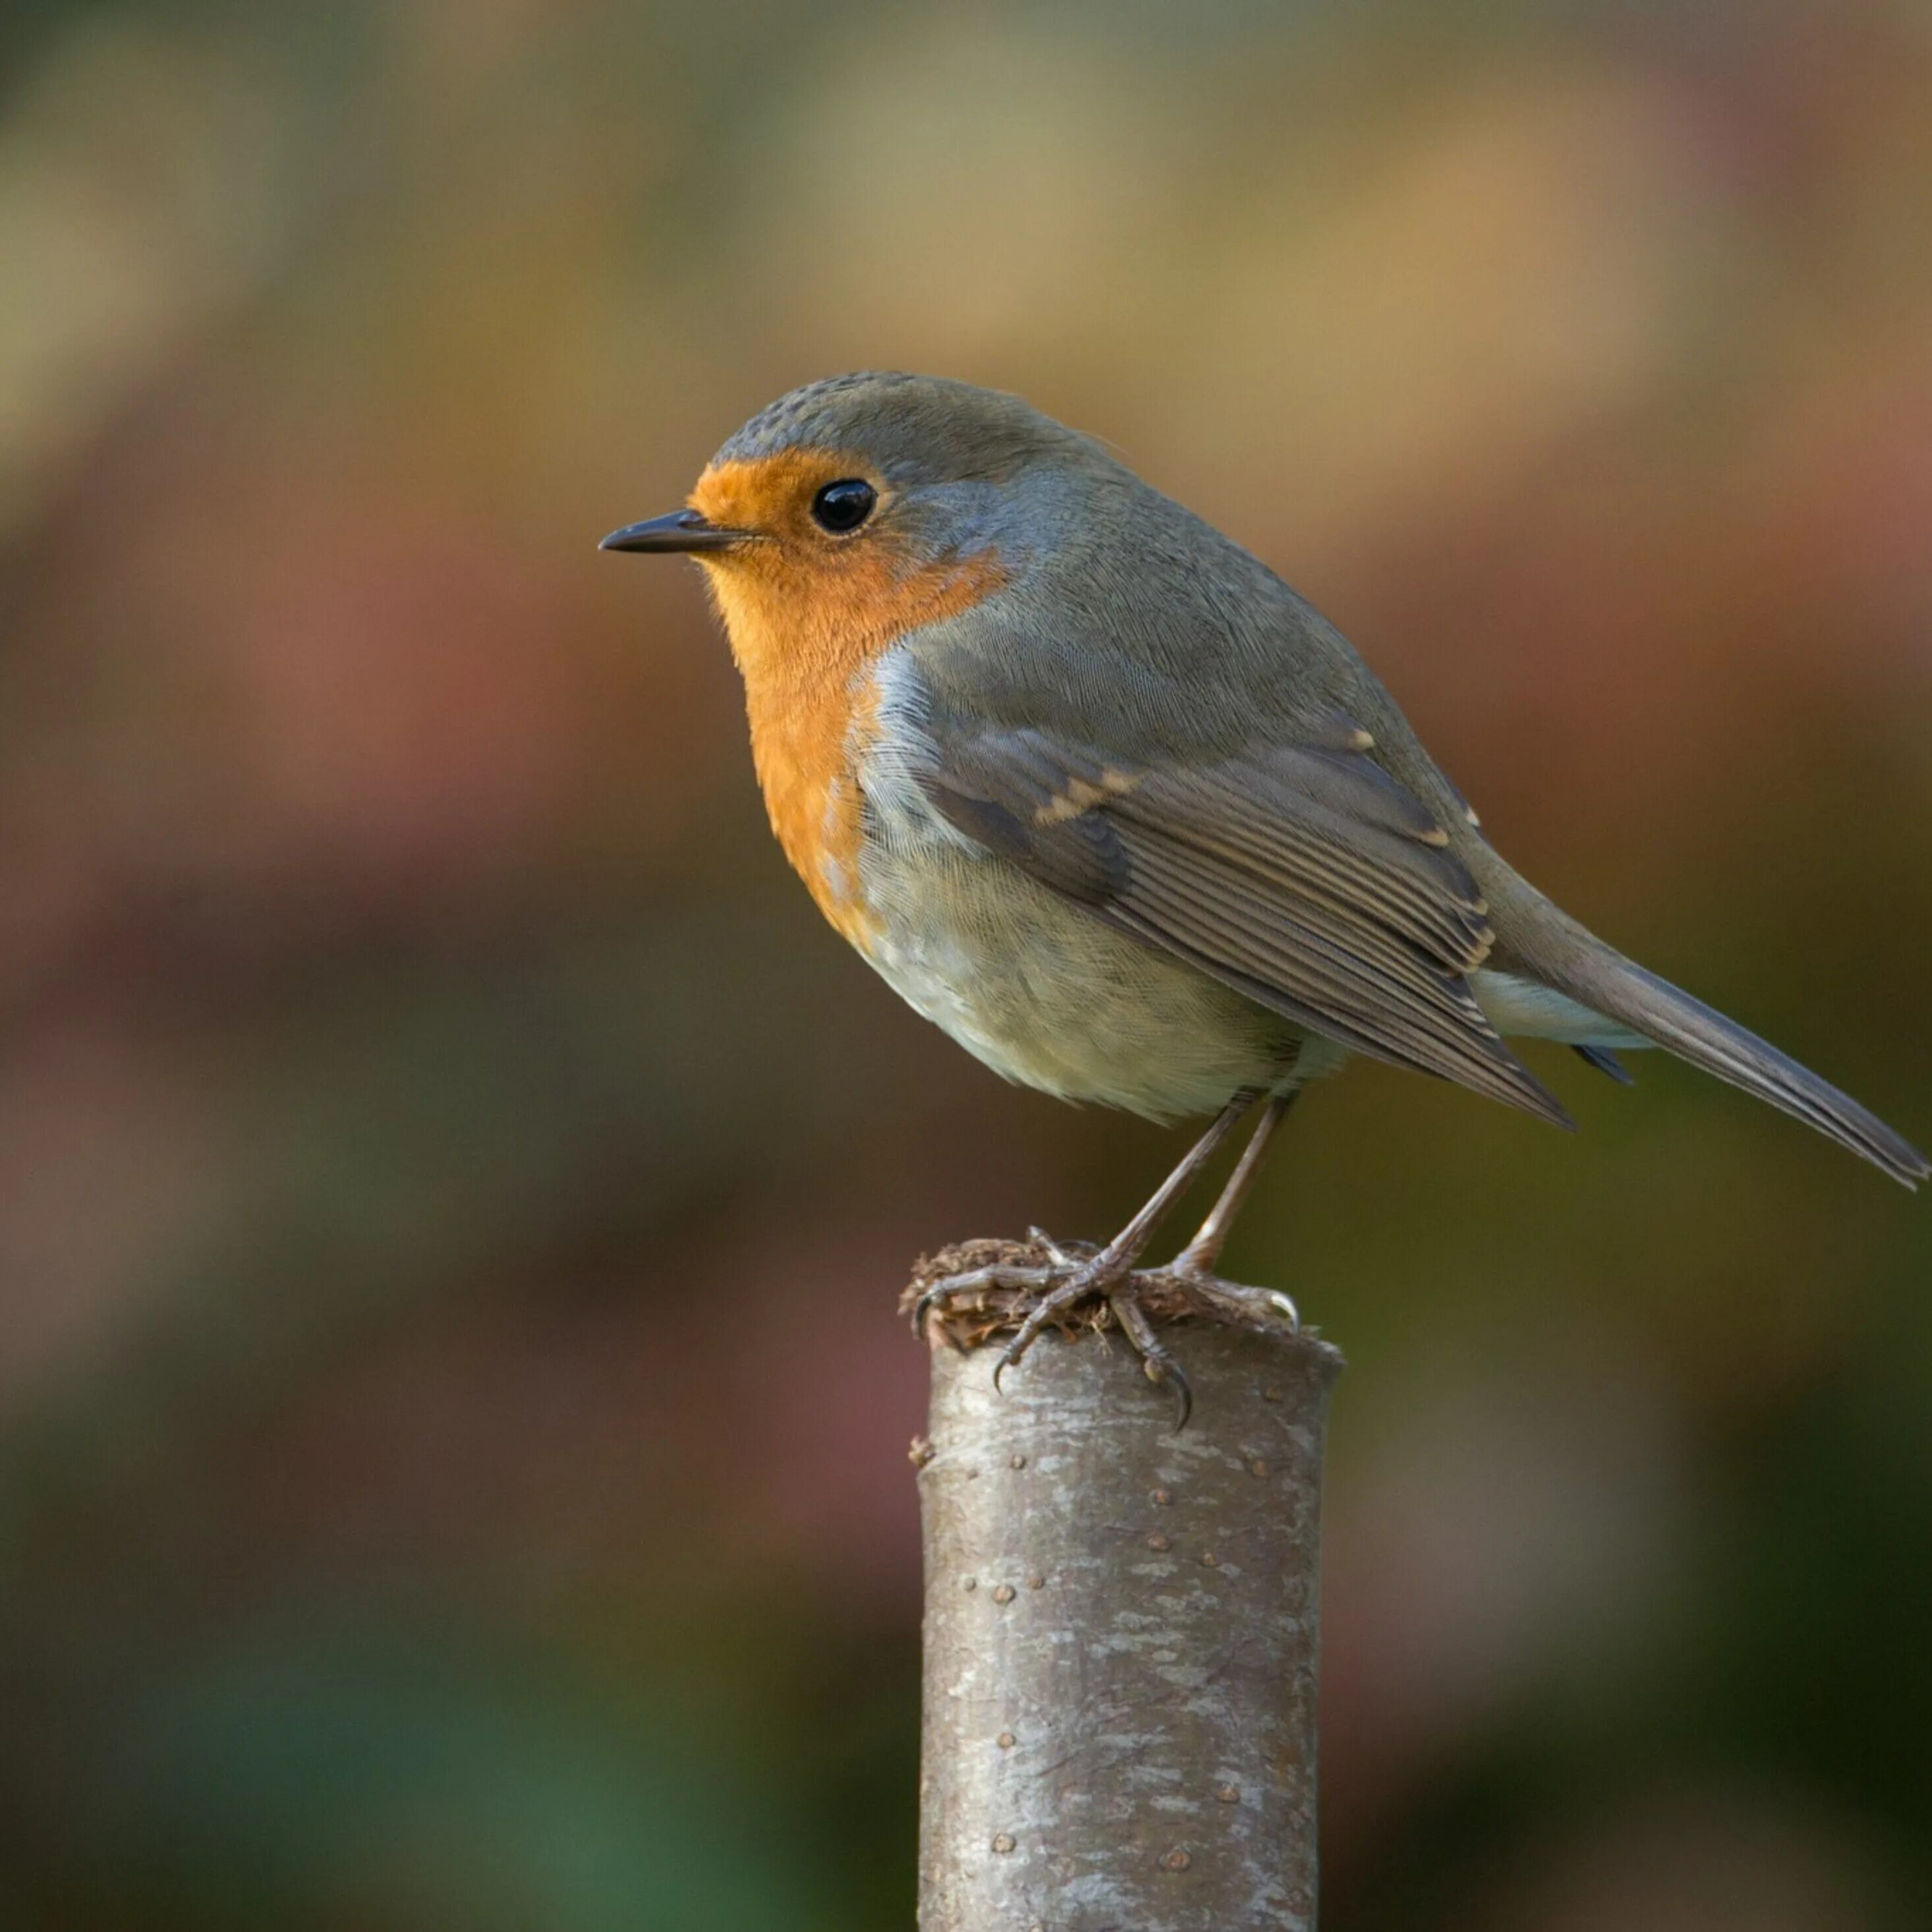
x,y
867,503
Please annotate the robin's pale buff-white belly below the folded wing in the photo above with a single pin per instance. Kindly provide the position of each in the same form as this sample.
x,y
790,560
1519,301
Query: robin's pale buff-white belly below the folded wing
x,y
1056,1000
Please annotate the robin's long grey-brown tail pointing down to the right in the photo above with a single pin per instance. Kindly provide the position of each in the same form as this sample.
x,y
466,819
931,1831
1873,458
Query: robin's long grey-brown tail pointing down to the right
x,y
1622,990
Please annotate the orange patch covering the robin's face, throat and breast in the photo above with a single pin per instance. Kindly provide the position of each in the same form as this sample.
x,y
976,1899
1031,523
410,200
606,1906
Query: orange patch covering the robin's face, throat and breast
x,y
809,613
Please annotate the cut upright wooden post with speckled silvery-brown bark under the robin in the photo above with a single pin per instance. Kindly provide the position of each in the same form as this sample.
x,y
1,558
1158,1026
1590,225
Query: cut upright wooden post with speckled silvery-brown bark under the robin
x,y
1122,1635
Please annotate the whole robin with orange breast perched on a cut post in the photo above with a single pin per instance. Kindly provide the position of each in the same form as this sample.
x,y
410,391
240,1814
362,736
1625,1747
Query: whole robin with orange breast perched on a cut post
x,y
1108,801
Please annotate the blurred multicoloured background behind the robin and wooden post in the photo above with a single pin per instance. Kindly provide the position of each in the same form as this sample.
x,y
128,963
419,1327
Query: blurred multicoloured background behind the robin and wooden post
x,y
453,1189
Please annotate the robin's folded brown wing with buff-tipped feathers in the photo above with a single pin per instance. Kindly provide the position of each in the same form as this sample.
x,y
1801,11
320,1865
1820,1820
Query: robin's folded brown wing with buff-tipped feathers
x,y
1303,876
